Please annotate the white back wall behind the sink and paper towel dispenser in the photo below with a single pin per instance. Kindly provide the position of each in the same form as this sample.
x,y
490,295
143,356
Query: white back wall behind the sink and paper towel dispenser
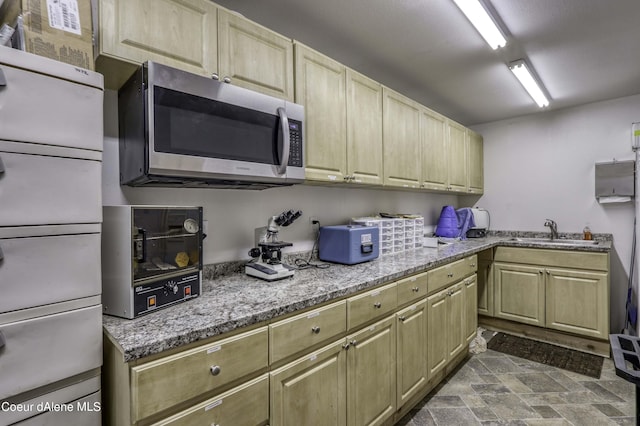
x,y
542,166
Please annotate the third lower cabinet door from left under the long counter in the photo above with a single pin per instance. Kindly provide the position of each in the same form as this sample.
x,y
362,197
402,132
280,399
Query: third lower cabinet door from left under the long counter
x,y
412,371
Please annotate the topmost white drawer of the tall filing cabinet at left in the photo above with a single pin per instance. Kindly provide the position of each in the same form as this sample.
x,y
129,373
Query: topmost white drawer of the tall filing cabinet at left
x,y
68,114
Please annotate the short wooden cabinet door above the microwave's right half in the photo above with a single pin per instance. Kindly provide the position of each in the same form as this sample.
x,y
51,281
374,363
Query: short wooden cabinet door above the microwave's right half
x,y
254,56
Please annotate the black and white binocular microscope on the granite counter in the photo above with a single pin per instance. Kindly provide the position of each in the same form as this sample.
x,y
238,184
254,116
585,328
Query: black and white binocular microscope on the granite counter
x,y
267,263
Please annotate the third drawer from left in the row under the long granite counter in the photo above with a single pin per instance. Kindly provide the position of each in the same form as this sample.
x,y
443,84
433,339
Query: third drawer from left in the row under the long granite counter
x,y
371,305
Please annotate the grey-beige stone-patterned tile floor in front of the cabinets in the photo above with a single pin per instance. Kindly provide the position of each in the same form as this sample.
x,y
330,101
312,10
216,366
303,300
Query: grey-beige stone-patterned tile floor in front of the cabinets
x,y
492,388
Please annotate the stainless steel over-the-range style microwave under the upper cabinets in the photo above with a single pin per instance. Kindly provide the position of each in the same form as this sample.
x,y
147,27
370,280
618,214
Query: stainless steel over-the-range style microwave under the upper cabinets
x,y
181,129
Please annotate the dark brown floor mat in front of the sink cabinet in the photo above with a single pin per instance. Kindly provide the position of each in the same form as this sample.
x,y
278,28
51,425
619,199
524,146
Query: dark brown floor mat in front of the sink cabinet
x,y
545,353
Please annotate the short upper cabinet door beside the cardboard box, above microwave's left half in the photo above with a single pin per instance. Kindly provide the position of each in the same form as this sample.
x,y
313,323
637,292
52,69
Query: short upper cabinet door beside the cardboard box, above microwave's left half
x,y
156,30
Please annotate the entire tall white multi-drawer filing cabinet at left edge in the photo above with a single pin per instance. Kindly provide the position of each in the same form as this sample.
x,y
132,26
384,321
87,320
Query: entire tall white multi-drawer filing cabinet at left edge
x,y
51,136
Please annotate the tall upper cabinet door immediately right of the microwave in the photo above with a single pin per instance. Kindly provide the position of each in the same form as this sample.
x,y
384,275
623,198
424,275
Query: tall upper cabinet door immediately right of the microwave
x,y
320,87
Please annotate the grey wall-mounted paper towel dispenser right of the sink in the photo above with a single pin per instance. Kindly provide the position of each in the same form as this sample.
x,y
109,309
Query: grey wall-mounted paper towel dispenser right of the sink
x,y
615,181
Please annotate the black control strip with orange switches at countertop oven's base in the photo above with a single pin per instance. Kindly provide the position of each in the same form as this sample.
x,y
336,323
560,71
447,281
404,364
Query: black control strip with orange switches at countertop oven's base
x,y
165,292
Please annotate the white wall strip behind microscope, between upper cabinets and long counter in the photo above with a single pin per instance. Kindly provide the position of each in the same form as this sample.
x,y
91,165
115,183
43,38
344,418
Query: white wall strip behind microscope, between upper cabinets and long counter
x,y
233,214
